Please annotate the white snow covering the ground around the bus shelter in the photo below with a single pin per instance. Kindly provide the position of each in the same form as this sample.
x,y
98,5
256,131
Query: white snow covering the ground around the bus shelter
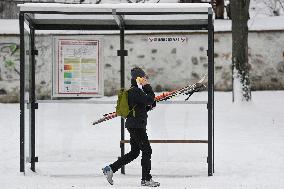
x,y
248,145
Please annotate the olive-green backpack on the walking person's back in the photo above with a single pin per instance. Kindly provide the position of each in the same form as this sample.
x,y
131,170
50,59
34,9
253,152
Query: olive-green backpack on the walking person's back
x,y
122,107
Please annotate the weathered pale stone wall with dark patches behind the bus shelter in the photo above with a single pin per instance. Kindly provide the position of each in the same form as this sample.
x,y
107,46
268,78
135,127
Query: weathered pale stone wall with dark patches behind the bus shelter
x,y
168,64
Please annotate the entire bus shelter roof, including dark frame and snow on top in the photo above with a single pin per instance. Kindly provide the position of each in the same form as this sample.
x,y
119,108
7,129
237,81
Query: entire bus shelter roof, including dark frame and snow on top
x,y
132,16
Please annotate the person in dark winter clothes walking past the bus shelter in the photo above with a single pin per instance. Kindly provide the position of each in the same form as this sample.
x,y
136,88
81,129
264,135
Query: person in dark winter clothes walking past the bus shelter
x,y
141,100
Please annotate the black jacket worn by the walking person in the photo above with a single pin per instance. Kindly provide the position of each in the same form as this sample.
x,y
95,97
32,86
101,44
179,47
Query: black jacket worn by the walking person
x,y
142,101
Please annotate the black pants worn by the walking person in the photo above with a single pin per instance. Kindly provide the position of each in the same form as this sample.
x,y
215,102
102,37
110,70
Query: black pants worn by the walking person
x,y
138,141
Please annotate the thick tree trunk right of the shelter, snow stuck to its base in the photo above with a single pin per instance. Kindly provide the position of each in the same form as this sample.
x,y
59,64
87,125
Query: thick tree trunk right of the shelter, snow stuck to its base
x,y
240,16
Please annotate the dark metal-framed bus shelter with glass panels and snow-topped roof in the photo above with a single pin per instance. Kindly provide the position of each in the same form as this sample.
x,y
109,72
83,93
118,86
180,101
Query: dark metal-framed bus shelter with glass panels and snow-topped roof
x,y
116,17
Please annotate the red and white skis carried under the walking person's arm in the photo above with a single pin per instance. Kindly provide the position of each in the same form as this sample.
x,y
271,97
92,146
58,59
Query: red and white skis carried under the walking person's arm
x,y
187,90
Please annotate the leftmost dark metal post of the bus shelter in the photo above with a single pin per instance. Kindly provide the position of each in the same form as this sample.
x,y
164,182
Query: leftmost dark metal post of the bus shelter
x,y
22,93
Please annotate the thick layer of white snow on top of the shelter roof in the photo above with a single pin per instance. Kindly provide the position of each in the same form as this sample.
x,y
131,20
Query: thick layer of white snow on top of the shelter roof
x,y
119,7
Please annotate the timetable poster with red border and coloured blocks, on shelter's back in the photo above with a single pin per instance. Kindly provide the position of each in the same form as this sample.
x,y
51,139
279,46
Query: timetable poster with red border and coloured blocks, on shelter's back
x,y
78,66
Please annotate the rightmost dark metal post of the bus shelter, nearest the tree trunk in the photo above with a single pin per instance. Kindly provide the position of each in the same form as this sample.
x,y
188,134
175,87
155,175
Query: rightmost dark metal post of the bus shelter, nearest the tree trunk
x,y
210,91
